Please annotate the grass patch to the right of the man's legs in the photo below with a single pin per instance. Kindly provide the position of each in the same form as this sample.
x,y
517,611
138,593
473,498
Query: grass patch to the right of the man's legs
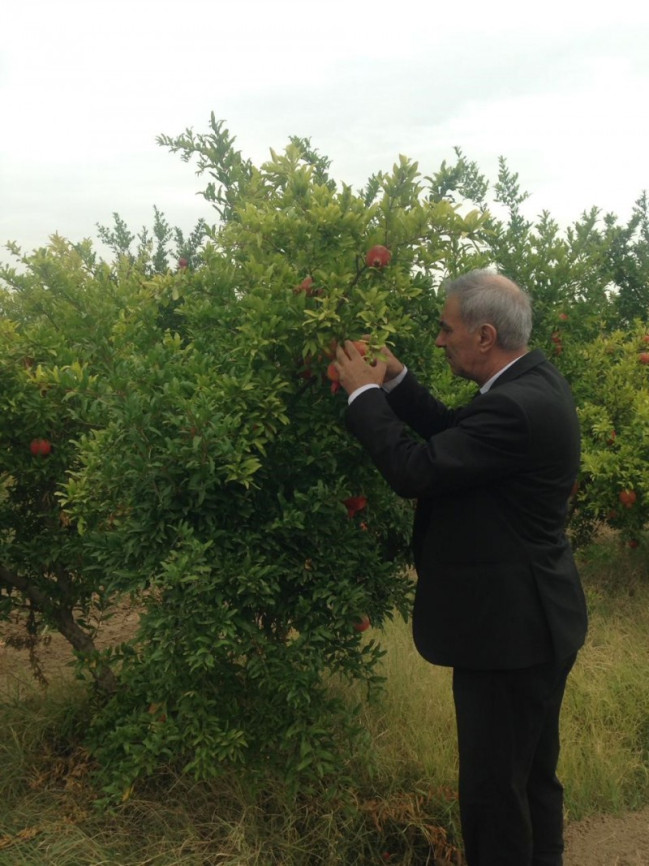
x,y
605,758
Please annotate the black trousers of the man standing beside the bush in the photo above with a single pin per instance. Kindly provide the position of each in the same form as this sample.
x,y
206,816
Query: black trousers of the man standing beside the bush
x,y
511,802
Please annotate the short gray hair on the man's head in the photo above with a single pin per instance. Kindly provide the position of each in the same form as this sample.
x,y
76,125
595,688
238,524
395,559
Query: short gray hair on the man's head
x,y
489,298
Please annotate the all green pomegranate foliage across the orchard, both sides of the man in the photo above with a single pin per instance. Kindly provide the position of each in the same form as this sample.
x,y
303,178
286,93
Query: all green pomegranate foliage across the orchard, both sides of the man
x,y
198,462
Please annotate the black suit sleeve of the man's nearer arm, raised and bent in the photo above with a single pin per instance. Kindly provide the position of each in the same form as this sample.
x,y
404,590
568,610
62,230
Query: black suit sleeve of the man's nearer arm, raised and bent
x,y
485,442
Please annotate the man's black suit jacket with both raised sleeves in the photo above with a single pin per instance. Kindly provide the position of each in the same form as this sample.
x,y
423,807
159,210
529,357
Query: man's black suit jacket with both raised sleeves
x,y
497,584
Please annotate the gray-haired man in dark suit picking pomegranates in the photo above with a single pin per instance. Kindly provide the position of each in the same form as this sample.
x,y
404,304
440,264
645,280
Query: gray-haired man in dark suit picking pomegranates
x,y
498,595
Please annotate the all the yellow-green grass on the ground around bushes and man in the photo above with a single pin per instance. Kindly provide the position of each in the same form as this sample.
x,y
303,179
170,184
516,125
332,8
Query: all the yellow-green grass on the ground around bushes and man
x,y
402,798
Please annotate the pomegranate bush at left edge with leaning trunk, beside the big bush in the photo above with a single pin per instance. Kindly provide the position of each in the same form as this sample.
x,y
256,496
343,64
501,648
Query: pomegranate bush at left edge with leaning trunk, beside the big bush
x,y
55,340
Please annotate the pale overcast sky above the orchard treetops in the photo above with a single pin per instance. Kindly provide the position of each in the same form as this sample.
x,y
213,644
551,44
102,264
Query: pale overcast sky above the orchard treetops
x,y
561,89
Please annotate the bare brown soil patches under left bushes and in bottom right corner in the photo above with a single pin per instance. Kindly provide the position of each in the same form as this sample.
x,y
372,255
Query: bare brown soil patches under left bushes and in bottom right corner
x,y
602,840
